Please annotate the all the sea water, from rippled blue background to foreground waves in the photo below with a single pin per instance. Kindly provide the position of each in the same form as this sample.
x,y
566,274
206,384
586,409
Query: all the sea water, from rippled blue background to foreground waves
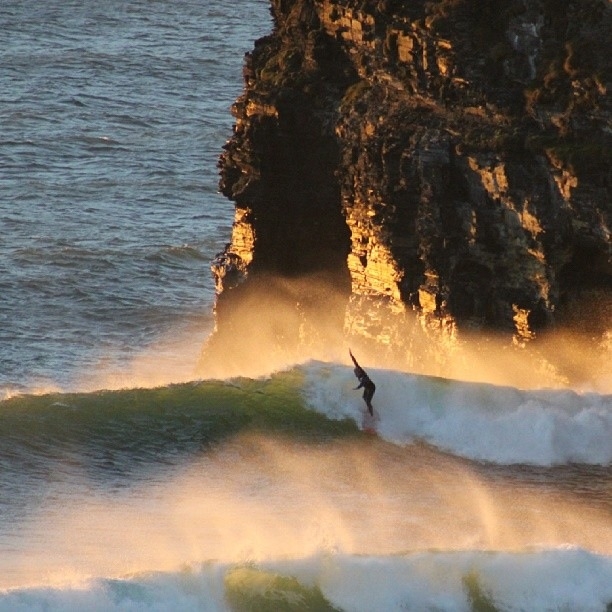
x,y
128,481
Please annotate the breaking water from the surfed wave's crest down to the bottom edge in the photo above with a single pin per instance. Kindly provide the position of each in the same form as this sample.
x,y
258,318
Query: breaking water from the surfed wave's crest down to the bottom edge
x,y
222,495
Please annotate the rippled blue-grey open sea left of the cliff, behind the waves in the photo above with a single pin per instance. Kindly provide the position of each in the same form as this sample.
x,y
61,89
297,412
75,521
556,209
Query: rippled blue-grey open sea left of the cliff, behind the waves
x,y
112,118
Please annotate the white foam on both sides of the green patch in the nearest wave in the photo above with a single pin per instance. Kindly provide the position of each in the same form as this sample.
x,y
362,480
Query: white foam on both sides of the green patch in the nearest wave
x,y
565,579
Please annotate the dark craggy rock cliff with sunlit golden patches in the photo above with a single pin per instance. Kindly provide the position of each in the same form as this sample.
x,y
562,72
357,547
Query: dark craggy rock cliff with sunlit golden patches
x,y
438,166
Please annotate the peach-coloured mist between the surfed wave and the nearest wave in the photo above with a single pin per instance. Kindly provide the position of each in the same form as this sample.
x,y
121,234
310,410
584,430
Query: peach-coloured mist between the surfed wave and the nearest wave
x,y
259,498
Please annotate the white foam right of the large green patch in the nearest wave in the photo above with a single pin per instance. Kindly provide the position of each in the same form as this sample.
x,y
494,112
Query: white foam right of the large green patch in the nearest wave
x,y
548,580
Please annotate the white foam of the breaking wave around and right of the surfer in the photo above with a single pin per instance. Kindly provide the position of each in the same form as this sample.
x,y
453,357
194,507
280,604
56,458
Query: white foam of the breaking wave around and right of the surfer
x,y
478,421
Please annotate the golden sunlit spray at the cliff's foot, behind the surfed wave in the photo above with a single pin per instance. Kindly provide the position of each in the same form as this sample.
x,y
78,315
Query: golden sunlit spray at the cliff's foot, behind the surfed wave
x,y
267,334
